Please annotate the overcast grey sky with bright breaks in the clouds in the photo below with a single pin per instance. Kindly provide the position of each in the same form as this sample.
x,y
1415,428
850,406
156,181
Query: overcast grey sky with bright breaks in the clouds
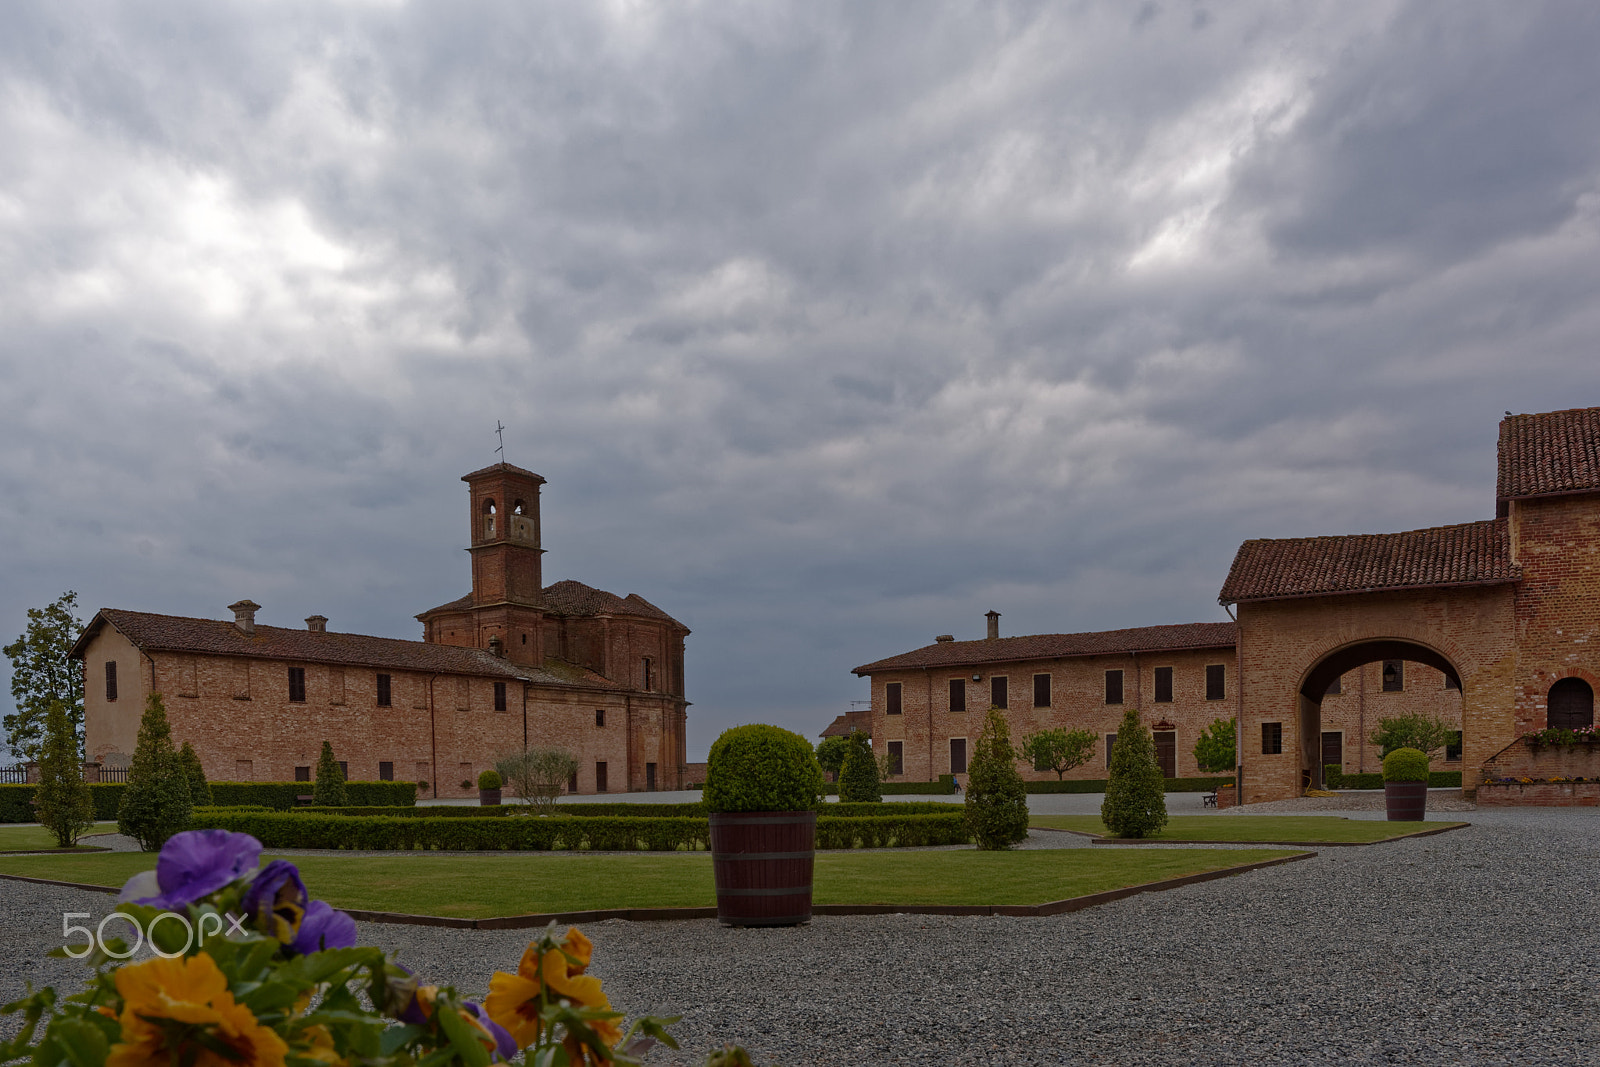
x,y
833,326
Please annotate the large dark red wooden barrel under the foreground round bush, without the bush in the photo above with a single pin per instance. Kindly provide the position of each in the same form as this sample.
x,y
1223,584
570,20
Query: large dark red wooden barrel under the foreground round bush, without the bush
x,y
762,863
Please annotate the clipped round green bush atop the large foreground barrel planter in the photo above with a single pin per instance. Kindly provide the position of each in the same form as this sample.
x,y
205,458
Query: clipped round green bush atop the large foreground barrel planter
x,y
762,769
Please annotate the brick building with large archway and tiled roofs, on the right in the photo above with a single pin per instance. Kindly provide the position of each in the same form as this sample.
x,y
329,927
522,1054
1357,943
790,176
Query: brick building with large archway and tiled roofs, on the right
x,y
1487,625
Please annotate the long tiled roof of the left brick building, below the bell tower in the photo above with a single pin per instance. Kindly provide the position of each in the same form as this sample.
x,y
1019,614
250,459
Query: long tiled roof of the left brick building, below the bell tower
x,y
212,637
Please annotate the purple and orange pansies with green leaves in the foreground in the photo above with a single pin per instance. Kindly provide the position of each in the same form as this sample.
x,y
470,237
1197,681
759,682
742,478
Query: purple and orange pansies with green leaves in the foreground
x,y
249,972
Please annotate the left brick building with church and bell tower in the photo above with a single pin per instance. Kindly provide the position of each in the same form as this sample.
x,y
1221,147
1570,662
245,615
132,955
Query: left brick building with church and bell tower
x,y
513,665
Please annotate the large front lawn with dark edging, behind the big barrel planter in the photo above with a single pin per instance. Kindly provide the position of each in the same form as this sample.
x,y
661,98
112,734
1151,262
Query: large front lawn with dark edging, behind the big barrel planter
x,y
481,887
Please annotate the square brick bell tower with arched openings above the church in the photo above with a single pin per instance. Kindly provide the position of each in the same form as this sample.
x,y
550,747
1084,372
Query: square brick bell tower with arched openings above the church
x,y
505,546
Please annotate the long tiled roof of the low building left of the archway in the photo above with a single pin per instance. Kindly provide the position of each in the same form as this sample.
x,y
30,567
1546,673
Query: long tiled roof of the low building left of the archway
x,y
1142,639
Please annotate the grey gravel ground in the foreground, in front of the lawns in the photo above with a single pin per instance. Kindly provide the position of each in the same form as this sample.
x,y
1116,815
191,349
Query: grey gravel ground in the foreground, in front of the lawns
x,y
1481,946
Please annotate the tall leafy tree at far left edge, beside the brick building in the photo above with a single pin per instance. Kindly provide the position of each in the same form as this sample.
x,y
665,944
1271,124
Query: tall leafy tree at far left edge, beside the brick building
x,y
41,673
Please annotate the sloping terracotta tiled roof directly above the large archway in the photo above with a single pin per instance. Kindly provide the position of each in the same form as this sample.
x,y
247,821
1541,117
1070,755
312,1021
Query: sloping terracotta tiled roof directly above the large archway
x,y
1471,554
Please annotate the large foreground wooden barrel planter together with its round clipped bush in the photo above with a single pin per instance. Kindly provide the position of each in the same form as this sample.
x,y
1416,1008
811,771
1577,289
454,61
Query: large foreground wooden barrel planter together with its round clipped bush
x,y
762,791
